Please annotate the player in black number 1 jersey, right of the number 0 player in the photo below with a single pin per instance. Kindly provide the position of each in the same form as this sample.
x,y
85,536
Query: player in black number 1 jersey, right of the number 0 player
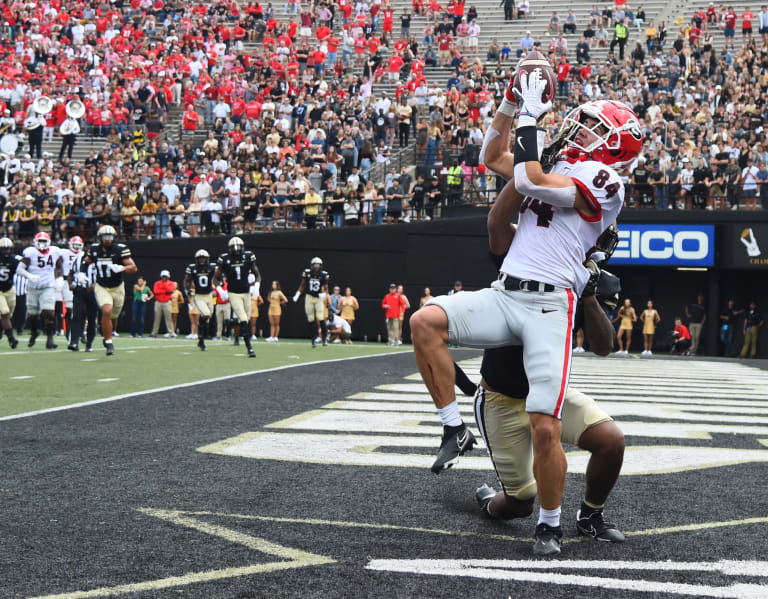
x,y
236,265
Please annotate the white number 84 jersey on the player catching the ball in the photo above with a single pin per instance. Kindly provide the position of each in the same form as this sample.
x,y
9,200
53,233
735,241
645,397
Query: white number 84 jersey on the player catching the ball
x,y
551,243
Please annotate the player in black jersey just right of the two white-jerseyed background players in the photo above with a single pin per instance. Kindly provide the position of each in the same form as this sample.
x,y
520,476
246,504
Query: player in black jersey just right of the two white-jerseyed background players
x,y
111,260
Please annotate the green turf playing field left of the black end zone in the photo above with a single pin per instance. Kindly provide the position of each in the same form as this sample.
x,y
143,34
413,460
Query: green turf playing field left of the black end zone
x,y
36,379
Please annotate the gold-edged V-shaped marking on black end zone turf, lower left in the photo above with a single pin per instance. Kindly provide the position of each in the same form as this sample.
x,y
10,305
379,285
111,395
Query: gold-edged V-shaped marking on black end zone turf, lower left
x,y
296,558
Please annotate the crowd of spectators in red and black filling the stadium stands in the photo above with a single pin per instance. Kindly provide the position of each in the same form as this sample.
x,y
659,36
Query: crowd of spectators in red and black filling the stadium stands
x,y
292,129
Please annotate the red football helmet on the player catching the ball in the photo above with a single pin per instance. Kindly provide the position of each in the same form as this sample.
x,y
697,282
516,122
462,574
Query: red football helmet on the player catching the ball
x,y
619,138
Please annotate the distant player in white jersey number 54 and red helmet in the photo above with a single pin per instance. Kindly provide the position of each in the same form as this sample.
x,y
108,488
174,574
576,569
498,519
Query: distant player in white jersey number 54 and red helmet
x,y
41,264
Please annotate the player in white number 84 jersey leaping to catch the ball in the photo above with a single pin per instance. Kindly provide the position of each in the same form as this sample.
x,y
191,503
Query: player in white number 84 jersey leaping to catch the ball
x,y
561,215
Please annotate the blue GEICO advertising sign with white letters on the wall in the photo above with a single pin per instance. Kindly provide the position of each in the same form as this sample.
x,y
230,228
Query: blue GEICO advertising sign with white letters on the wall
x,y
671,245
